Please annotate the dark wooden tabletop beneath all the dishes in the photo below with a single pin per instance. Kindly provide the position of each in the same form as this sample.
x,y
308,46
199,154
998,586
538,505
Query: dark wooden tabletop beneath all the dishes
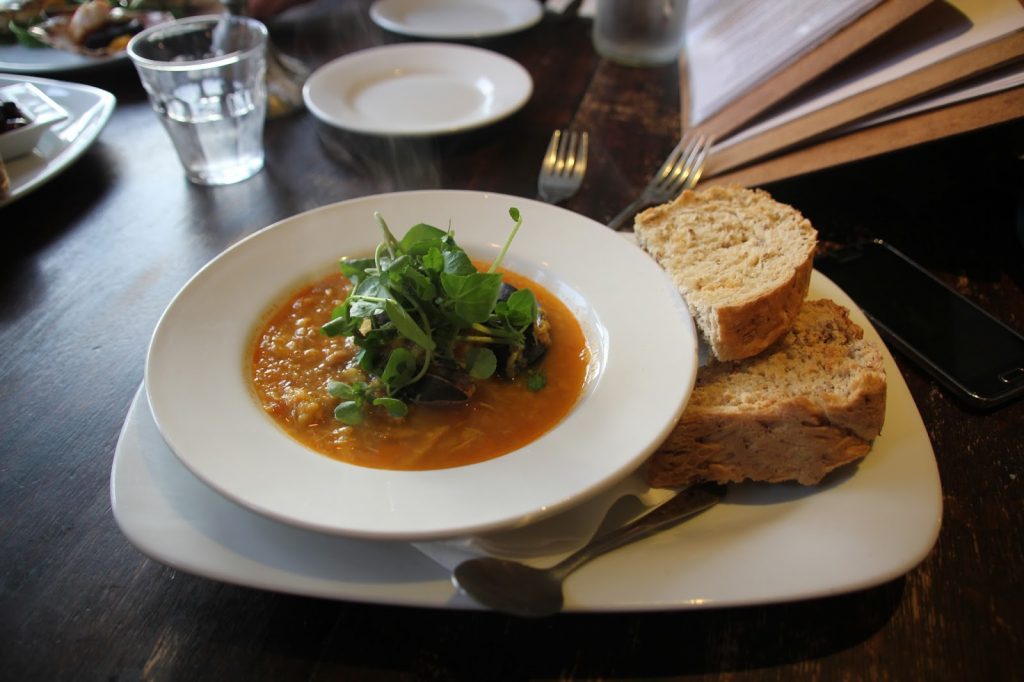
x,y
92,260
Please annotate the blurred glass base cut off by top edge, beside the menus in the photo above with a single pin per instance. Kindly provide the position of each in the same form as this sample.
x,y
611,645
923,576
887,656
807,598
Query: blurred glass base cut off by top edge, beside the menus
x,y
641,33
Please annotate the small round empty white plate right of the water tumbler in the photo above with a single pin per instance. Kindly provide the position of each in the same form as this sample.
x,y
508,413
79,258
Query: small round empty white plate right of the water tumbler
x,y
417,90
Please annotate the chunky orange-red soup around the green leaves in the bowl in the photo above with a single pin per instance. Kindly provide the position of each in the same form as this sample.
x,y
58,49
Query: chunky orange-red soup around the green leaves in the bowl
x,y
292,362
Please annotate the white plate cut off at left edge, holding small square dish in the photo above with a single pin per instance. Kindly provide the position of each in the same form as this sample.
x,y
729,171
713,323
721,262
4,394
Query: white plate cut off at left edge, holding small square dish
x,y
89,111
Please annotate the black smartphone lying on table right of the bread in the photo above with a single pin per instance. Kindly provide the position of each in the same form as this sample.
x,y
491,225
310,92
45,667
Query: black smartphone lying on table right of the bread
x,y
969,351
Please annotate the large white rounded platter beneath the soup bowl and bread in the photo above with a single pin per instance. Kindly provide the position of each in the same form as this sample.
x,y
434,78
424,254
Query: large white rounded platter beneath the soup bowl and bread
x,y
865,526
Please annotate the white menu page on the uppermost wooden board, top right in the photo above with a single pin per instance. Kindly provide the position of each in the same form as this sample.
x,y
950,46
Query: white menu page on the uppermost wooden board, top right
x,y
735,45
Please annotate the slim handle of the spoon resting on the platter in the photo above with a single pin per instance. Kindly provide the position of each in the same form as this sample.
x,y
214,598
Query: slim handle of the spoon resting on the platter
x,y
690,502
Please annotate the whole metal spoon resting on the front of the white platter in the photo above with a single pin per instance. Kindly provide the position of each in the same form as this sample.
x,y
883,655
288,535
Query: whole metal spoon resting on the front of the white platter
x,y
515,588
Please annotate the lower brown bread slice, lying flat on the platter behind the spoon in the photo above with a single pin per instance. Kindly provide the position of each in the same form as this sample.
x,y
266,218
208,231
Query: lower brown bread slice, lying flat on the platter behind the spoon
x,y
814,402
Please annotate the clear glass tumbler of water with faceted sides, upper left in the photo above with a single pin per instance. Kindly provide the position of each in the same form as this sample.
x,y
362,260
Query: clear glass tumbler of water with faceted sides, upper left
x,y
206,80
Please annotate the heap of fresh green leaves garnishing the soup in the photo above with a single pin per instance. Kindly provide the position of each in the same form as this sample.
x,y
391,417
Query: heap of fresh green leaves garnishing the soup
x,y
423,317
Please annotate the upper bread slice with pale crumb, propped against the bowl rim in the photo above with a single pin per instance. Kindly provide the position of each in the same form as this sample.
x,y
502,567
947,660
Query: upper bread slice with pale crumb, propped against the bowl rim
x,y
742,261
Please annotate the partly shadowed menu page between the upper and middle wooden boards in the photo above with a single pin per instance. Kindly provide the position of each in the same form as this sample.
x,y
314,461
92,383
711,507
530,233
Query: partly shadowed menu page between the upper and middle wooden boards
x,y
940,31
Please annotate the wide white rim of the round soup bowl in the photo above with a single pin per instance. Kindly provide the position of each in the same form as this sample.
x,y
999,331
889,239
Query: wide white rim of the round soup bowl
x,y
644,365
